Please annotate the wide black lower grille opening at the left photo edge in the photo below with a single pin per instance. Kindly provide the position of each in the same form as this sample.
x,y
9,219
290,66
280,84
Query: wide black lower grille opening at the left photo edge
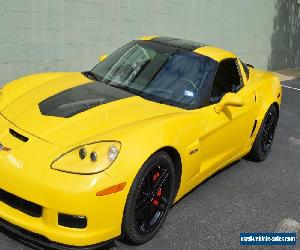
x,y
20,204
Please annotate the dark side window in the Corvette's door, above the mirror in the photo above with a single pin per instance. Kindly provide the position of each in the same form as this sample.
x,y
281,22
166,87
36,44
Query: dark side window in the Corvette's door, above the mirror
x,y
227,79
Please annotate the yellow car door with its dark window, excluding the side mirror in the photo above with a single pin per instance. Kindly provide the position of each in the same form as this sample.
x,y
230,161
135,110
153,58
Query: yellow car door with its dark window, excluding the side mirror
x,y
227,133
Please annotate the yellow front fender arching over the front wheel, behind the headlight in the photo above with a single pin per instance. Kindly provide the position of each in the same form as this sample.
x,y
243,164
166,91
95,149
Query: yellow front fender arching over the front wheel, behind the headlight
x,y
141,140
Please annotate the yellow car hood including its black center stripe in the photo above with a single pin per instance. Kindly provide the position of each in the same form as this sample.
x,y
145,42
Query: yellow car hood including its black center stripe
x,y
64,111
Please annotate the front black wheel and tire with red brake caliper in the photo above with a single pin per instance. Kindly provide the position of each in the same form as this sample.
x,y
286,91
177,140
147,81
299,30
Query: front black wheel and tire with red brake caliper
x,y
149,199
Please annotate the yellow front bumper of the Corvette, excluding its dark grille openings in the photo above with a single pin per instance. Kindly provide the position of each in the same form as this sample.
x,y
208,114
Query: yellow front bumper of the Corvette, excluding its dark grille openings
x,y
27,175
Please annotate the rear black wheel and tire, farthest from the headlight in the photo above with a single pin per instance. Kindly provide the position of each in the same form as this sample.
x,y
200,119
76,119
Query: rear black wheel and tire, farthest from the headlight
x,y
264,138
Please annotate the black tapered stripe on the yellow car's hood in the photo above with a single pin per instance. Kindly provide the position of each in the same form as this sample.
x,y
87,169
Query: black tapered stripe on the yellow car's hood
x,y
81,98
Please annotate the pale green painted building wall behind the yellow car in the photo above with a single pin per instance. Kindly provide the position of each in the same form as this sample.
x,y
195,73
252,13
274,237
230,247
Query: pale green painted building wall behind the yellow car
x,y
69,35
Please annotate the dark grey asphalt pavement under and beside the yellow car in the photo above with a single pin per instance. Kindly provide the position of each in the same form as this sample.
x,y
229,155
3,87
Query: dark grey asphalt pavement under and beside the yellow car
x,y
245,197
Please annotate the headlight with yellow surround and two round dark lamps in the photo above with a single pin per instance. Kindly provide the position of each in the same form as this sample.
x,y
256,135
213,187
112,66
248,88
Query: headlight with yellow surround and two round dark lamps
x,y
89,158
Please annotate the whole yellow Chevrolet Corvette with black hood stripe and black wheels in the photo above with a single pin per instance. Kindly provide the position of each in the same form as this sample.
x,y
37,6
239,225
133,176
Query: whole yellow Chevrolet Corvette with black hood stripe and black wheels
x,y
89,157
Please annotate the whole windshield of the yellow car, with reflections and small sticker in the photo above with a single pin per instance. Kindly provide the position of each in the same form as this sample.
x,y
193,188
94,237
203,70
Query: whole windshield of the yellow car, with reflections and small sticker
x,y
158,73
